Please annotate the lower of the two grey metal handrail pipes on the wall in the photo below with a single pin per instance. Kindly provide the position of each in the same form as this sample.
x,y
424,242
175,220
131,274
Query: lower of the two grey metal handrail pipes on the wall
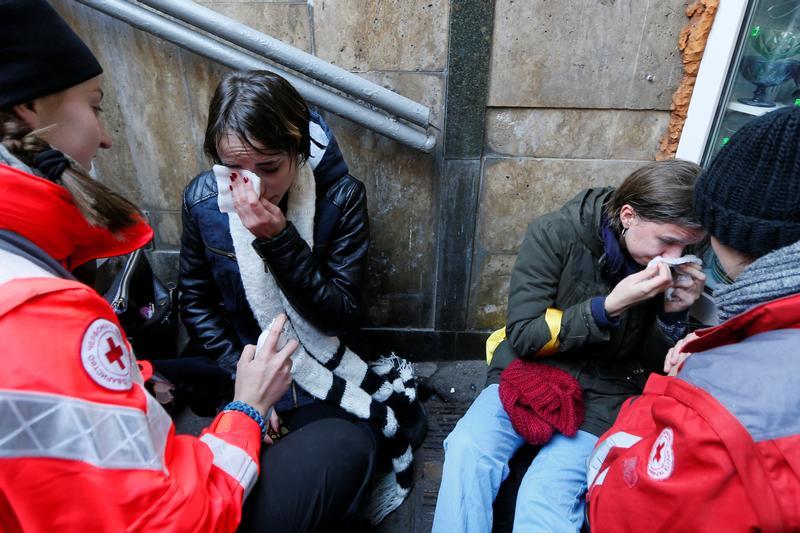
x,y
173,32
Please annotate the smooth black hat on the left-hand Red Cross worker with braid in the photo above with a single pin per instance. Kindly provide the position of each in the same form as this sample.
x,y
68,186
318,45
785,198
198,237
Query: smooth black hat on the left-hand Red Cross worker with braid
x,y
39,53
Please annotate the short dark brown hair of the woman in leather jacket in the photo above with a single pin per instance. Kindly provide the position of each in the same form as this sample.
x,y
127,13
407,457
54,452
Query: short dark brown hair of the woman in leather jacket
x,y
258,107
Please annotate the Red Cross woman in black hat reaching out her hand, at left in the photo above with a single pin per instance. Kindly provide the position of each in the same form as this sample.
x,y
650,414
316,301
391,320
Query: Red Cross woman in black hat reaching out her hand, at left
x,y
82,443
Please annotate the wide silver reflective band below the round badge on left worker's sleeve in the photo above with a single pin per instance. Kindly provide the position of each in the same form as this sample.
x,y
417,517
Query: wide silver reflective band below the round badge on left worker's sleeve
x,y
39,425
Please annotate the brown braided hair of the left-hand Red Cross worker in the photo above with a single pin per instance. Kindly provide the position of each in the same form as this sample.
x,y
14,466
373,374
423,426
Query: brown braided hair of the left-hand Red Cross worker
x,y
99,205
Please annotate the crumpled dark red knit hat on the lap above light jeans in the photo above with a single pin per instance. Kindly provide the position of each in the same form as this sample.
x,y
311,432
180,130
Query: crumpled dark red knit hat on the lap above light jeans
x,y
540,398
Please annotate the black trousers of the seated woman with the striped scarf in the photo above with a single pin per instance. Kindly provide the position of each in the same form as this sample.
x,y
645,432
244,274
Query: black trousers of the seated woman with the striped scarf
x,y
316,477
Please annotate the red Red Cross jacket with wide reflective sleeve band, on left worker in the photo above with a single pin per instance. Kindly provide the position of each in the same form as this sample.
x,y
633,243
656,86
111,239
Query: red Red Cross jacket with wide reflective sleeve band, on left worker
x,y
83,446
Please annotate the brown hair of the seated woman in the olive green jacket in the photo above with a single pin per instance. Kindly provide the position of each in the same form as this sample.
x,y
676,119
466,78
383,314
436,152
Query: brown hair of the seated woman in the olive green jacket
x,y
660,192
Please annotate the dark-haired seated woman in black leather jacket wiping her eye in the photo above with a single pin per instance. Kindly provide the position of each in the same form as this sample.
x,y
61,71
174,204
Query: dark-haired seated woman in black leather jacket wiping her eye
x,y
258,123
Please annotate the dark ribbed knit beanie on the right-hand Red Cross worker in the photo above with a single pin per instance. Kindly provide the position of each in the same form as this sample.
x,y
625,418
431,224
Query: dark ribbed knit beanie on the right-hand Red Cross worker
x,y
749,197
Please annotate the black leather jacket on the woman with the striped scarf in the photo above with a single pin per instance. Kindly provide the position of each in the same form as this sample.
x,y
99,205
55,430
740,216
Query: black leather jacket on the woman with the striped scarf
x,y
323,284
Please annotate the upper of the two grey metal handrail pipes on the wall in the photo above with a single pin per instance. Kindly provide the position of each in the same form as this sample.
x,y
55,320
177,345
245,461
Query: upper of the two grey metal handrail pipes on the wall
x,y
242,35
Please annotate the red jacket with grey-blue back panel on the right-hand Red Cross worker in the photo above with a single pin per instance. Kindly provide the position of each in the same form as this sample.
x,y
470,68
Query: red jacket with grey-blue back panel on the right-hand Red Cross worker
x,y
718,447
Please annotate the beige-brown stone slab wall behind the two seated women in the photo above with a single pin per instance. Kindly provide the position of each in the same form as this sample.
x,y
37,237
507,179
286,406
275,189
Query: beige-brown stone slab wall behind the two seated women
x,y
579,96
